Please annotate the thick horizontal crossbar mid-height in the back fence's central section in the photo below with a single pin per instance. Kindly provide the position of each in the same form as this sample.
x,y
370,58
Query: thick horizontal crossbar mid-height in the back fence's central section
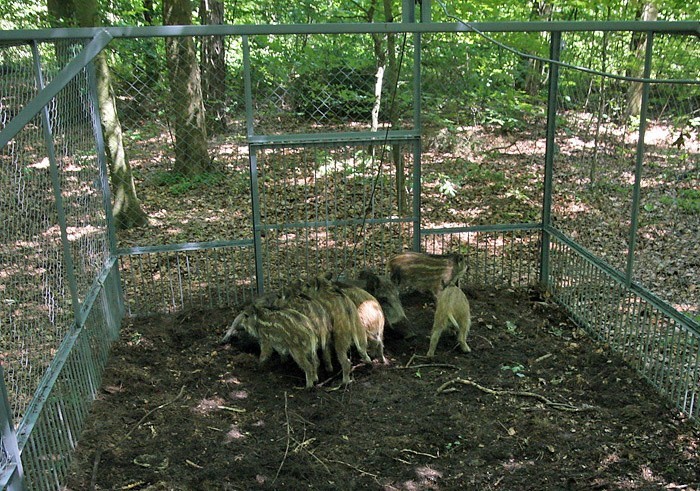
x,y
368,137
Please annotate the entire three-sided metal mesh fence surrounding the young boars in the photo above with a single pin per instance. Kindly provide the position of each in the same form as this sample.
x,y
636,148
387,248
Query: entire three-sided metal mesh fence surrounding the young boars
x,y
330,151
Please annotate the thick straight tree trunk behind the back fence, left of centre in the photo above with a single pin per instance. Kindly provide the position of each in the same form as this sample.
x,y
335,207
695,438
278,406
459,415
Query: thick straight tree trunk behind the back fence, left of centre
x,y
187,106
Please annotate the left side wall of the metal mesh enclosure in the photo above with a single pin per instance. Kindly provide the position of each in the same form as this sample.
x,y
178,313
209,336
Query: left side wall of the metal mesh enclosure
x,y
55,251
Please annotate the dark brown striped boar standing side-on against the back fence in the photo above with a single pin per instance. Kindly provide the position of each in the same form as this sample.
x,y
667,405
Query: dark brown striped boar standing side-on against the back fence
x,y
426,272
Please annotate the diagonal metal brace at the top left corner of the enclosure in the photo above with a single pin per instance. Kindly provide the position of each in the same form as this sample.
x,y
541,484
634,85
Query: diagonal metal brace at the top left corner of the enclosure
x,y
29,111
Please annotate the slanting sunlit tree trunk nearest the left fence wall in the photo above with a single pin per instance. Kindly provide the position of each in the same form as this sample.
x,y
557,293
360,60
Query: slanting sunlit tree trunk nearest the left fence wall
x,y
126,207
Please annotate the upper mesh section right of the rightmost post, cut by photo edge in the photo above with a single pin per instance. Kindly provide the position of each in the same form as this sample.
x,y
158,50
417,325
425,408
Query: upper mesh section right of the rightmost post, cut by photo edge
x,y
667,252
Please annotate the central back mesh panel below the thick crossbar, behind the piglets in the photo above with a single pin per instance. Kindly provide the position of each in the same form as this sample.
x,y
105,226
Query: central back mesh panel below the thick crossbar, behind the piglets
x,y
332,207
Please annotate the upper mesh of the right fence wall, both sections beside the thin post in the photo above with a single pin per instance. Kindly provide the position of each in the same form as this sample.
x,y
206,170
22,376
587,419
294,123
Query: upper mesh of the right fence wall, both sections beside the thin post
x,y
595,168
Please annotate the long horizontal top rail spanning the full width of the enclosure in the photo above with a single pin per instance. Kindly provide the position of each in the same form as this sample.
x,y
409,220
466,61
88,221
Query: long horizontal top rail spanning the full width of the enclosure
x,y
678,27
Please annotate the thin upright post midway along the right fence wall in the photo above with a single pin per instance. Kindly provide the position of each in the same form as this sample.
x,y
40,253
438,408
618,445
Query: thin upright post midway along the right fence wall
x,y
639,162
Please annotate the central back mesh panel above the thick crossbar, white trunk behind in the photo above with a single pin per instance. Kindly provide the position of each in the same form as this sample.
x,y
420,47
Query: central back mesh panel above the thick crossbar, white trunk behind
x,y
331,83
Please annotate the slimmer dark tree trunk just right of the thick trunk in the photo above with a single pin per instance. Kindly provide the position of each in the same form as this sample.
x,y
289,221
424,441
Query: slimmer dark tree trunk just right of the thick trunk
x,y
211,12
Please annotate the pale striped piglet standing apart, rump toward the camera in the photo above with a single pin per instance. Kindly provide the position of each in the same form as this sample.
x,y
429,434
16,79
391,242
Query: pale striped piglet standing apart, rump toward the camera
x,y
451,312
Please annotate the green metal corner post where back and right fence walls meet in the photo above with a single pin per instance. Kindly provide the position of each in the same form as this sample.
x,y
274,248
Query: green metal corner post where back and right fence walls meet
x,y
554,55
